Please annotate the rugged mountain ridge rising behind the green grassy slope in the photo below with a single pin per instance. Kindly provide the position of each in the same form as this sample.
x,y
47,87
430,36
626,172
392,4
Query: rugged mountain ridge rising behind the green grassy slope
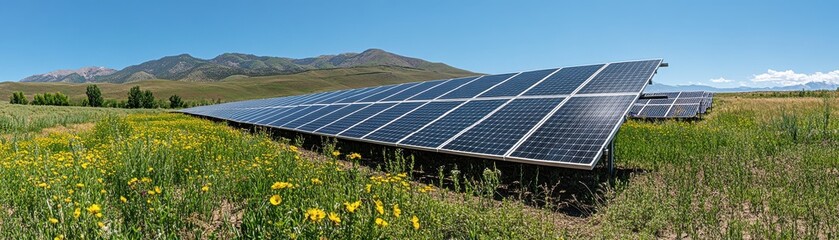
x,y
185,67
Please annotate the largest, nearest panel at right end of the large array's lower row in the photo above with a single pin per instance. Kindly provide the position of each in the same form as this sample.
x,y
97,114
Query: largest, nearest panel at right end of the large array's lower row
x,y
577,131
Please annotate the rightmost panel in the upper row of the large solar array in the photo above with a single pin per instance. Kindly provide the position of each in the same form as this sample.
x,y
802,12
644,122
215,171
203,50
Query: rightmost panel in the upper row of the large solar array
x,y
622,77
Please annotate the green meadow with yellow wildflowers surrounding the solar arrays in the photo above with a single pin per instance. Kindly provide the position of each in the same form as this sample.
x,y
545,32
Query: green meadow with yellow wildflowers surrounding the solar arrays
x,y
754,168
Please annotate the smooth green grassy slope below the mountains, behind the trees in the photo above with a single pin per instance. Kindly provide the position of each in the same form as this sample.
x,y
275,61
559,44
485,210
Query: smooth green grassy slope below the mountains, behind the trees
x,y
242,87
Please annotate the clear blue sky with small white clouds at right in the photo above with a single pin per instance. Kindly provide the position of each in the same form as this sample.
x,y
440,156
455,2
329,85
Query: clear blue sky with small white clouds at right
x,y
718,43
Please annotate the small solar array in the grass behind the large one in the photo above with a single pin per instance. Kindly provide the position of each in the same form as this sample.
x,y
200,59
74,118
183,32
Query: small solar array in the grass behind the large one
x,y
672,105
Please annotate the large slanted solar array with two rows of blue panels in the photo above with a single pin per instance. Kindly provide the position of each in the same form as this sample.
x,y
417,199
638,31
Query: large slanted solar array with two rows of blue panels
x,y
557,117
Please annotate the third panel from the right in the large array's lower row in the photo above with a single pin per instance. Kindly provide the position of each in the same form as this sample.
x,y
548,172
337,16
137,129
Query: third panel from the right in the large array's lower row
x,y
435,134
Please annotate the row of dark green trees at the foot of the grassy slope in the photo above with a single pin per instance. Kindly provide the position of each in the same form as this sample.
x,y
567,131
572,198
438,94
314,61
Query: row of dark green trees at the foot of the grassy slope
x,y
137,98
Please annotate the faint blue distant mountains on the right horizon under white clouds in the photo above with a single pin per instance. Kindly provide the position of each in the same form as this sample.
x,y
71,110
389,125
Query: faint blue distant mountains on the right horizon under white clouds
x,y
677,88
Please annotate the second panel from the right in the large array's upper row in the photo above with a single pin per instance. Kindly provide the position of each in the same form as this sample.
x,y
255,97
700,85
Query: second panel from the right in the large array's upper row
x,y
564,82
